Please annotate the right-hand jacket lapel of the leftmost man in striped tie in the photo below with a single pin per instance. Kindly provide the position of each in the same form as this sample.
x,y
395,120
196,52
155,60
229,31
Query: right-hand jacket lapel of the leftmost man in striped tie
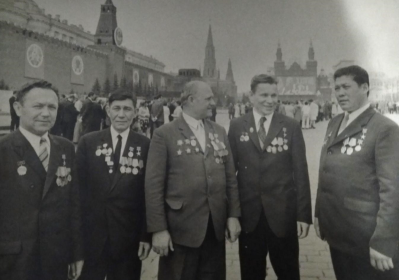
x,y
56,151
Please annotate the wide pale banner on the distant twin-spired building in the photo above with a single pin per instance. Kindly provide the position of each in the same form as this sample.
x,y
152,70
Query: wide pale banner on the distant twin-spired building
x,y
297,85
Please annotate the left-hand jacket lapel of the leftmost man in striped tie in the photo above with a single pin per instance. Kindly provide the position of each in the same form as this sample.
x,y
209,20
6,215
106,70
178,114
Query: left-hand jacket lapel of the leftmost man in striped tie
x,y
27,154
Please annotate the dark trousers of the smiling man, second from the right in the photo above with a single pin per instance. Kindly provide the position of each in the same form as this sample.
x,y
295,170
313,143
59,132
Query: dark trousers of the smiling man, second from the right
x,y
254,247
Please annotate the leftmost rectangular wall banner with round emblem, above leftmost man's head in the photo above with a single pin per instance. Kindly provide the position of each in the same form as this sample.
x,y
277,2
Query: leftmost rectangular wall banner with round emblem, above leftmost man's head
x,y
34,60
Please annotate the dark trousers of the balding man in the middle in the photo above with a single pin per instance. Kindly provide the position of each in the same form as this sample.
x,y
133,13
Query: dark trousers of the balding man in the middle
x,y
208,262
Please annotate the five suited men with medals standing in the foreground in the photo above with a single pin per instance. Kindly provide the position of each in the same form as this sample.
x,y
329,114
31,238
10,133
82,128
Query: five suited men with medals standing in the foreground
x,y
96,213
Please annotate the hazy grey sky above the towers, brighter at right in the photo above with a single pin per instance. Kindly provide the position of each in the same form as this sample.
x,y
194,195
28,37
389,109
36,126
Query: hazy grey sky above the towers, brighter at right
x,y
247,31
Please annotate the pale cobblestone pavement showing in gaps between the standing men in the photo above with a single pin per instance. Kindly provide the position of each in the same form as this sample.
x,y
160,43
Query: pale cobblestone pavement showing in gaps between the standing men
x,y
314,256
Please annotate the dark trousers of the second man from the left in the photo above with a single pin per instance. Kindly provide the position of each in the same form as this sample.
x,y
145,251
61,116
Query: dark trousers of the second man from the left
x,y
128,268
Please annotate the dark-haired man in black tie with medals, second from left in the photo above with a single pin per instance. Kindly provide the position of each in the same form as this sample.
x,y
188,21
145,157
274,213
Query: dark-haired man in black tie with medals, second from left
x,y
111,166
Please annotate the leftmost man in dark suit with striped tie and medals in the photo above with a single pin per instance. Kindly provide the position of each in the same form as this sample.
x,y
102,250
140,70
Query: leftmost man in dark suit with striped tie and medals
x,y
40,215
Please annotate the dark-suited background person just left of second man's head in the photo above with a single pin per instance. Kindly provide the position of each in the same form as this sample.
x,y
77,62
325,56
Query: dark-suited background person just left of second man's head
x,y
92,114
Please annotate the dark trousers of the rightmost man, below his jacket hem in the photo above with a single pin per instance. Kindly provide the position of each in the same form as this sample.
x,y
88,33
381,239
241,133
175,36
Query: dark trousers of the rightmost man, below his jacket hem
x,y
351,267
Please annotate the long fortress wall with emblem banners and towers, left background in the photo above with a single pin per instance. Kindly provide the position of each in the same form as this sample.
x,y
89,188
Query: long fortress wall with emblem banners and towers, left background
x,y
39,46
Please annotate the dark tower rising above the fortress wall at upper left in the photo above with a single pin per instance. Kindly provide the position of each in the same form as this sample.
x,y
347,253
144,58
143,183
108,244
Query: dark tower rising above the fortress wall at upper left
x,y
106,24
